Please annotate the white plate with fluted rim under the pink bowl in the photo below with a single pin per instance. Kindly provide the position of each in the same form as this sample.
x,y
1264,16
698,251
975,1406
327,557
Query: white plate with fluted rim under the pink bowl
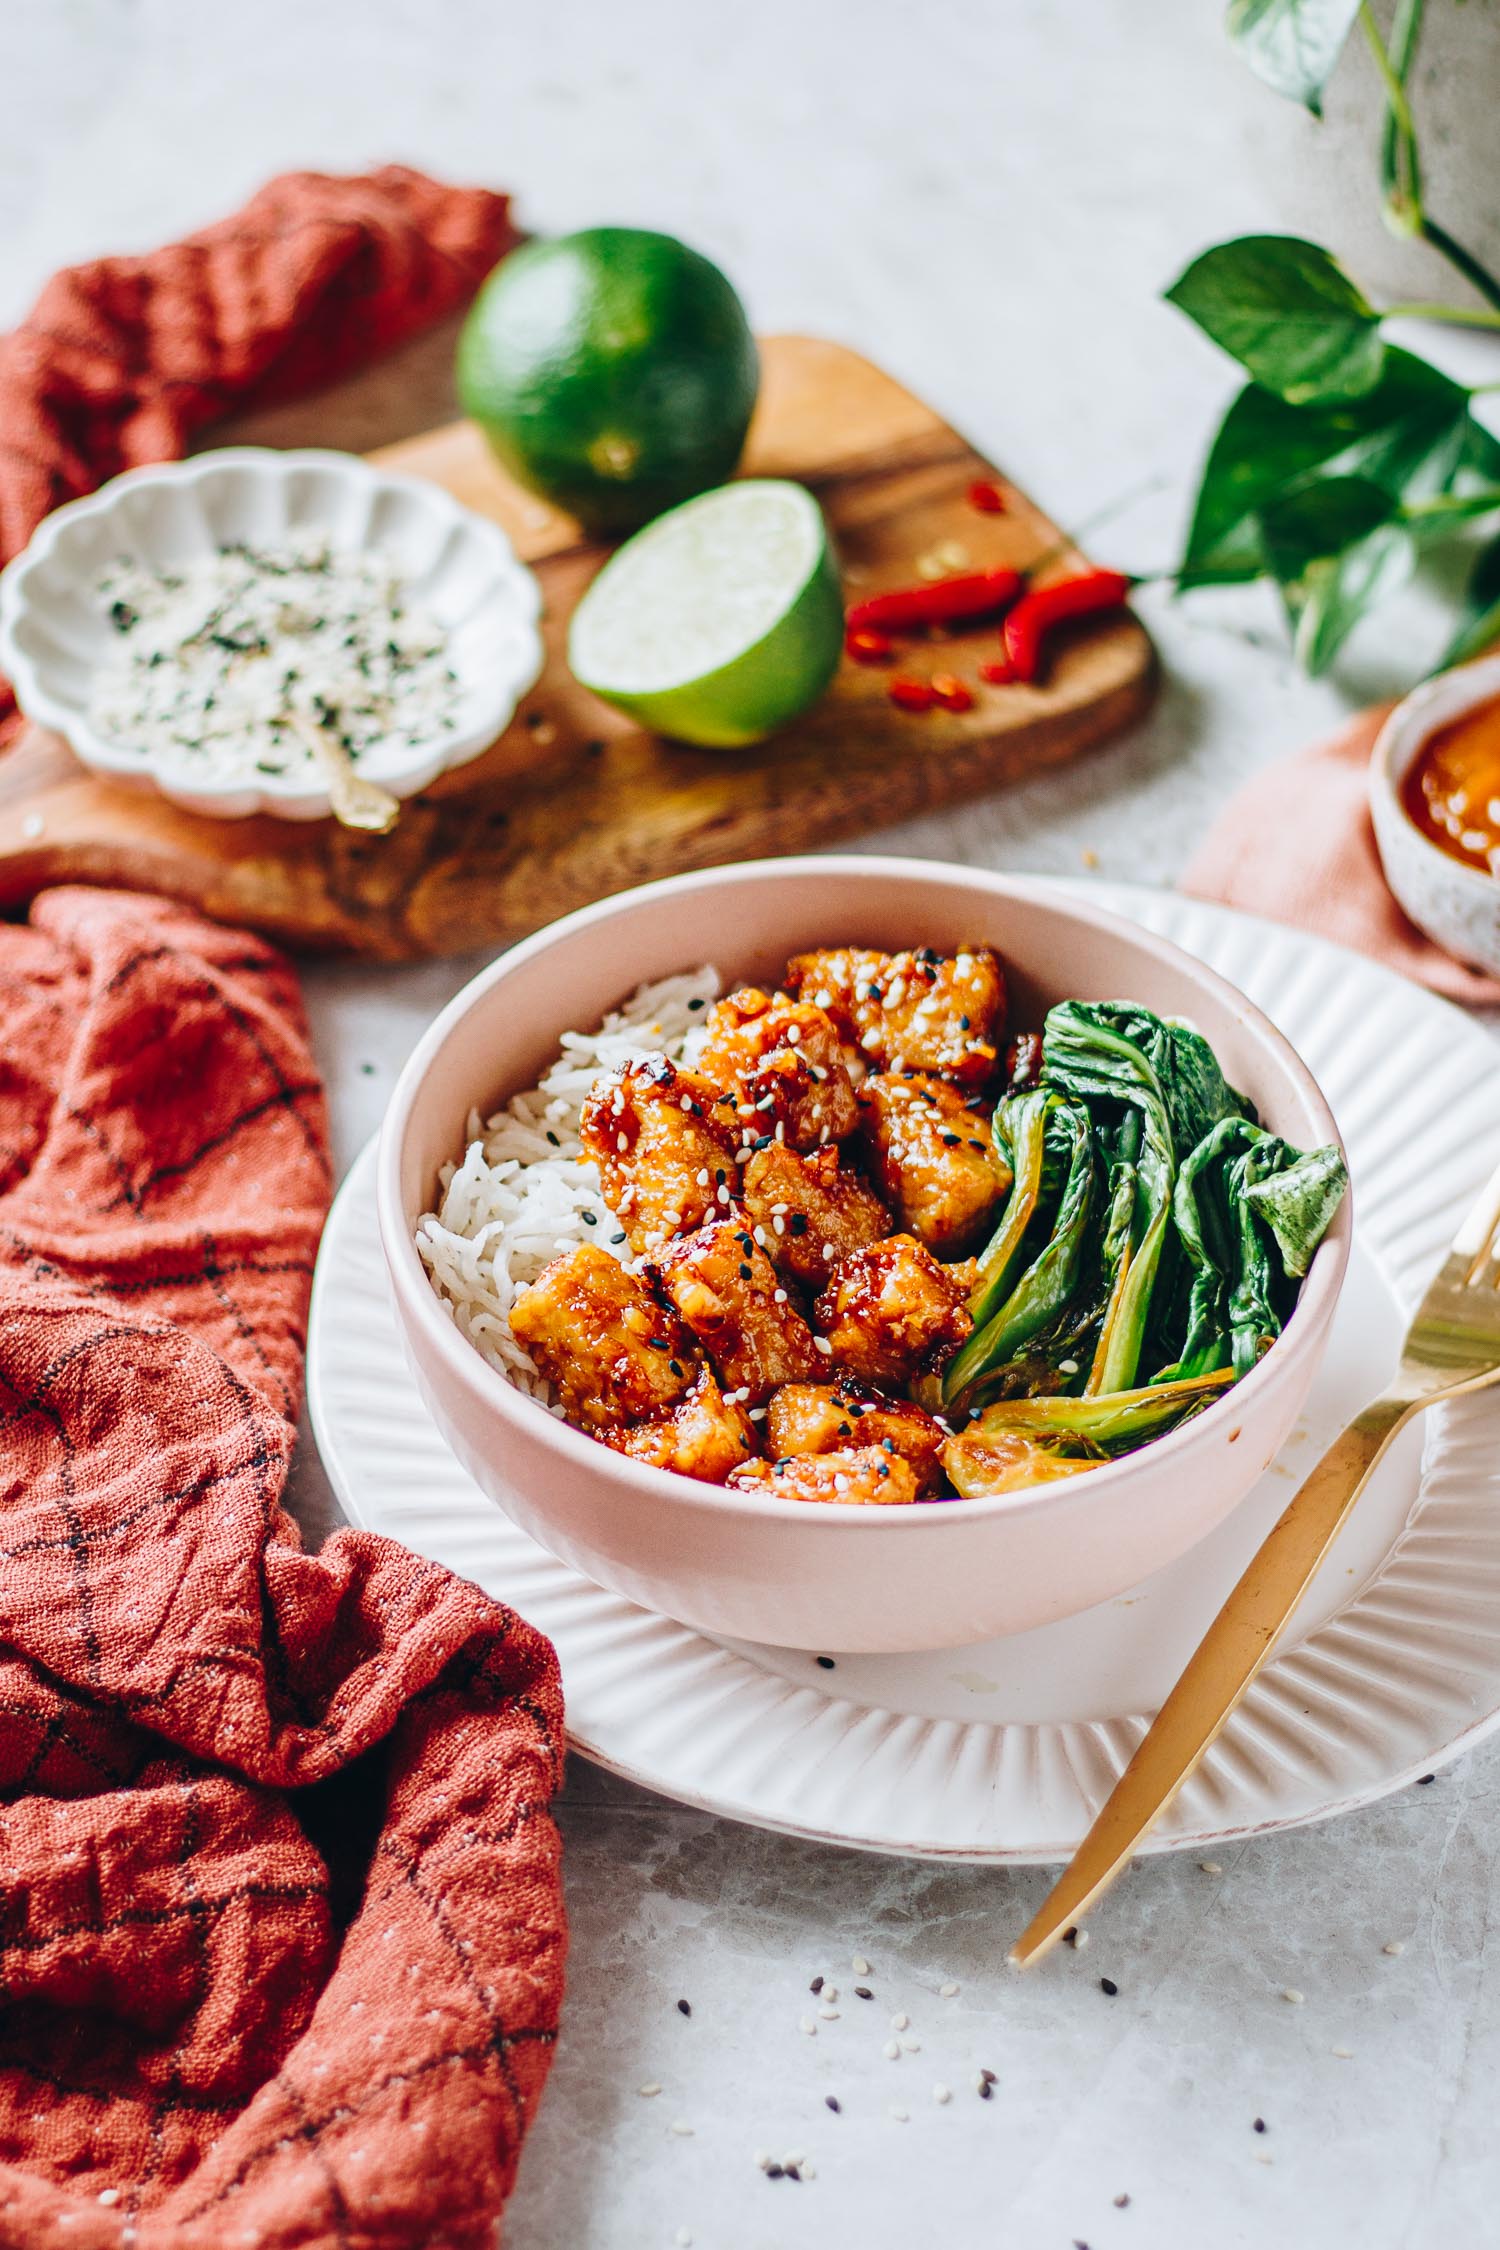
x,y
1004,1752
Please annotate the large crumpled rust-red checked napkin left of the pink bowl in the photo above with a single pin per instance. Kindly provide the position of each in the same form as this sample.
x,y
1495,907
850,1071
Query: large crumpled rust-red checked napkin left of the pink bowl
x,y
280,1916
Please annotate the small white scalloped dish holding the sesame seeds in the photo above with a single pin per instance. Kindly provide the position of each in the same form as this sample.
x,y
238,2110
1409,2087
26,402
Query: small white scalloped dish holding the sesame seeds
x,y
453,566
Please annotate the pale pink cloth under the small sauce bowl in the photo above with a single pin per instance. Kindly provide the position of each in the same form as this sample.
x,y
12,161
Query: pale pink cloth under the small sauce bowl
x,y
1299,847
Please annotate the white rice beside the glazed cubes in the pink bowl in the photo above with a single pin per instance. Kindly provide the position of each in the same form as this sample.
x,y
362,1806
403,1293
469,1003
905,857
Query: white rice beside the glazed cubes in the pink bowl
x,y
525,1191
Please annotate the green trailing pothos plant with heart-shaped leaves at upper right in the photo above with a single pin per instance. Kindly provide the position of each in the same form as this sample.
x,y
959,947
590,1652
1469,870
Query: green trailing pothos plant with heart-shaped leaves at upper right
x,y
1344,458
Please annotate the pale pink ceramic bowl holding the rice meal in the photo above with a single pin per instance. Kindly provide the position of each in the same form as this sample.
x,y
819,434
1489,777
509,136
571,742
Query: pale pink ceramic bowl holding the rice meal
x,y
784,1572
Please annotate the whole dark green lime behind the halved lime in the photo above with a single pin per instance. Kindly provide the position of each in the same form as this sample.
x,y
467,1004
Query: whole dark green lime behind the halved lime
x,y
613,372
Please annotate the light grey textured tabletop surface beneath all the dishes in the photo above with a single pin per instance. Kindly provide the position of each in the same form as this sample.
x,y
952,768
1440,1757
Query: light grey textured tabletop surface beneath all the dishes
x,y
988,199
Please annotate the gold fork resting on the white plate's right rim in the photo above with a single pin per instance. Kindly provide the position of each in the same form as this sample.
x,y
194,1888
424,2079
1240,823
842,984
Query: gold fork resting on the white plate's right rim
x,y
1452,1349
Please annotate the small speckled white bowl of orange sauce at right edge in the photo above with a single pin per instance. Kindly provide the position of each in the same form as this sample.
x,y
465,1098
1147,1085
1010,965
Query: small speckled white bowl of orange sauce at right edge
x,y
1436,807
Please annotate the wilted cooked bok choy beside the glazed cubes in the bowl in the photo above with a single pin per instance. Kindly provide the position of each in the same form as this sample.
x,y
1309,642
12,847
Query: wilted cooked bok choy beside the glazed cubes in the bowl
x,y
1148,1254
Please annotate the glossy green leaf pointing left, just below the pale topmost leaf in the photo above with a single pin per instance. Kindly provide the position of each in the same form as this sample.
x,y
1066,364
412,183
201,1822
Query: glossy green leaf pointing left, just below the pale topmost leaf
x,y
1290,314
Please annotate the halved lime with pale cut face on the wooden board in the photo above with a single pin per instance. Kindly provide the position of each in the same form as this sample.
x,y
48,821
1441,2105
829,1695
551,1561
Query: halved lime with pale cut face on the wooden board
x,y
719,622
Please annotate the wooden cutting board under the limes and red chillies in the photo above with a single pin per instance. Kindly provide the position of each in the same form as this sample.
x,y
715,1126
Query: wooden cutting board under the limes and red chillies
x,y
577,802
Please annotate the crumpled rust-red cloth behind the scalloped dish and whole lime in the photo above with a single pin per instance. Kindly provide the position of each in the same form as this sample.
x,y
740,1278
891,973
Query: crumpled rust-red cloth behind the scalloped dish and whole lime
x,y
123,361
